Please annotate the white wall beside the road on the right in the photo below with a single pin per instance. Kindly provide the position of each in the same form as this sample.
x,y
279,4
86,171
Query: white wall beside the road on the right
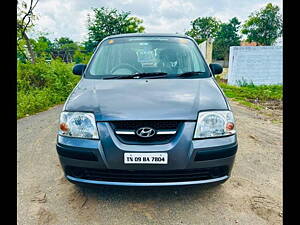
x,y
257,64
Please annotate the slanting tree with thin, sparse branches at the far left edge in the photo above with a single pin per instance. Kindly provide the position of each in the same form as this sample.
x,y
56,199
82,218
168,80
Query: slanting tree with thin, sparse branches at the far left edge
x,y
25,18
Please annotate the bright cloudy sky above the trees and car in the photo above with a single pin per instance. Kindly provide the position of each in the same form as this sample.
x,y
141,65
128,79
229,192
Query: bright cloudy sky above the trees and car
x,y
68,18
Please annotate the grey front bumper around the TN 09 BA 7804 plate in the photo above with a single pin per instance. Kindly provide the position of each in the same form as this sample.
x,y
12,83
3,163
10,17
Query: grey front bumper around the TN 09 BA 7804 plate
x,y
189,162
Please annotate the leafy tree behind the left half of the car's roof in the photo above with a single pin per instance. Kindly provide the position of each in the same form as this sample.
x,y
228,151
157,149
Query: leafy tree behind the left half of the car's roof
x,y
110,22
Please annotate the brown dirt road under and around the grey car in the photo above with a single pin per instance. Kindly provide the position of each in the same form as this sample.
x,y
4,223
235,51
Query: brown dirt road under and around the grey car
x,y
253,195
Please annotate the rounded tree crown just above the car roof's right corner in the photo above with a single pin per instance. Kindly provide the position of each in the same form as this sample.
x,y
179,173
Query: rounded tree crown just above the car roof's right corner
x,y
203,28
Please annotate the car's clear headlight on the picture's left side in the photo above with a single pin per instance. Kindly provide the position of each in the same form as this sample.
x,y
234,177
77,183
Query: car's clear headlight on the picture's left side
x,y
78,124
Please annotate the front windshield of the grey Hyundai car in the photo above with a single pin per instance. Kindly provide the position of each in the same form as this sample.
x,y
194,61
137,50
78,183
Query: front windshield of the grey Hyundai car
x,y
154,55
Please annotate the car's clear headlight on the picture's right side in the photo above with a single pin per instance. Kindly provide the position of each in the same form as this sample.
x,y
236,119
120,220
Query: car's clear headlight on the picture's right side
x,y
214,124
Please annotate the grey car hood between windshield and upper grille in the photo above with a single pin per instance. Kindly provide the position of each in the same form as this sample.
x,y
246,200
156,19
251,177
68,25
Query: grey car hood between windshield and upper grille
x,y
146,99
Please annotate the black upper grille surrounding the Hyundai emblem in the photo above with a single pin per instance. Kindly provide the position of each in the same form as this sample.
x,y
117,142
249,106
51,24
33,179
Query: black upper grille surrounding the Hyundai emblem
x,y
132,126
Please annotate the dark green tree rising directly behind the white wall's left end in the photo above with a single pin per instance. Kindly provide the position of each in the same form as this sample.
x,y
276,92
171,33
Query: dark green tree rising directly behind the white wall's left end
x,y
227,36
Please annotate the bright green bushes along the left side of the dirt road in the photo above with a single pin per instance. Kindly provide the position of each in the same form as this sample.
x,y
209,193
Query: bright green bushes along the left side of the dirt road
x,y
42,85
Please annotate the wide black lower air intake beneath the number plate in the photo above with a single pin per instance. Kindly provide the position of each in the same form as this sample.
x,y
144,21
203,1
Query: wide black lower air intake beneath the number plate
x,y
147,176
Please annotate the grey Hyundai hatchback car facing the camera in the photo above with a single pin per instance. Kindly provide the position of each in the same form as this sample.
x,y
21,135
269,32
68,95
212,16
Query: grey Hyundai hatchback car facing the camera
x,y
147,112
